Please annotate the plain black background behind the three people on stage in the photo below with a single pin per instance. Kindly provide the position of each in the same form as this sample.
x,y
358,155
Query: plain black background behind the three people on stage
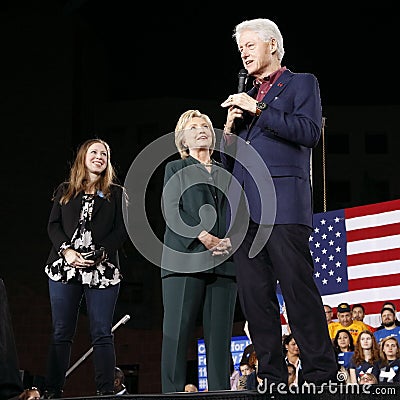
x,y
72,70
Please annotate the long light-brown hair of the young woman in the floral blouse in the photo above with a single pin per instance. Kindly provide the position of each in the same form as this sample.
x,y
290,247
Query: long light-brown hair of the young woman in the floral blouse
x,y
78,178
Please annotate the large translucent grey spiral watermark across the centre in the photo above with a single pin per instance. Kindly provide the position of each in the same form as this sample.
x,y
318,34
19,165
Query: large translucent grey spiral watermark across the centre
x,y
136,215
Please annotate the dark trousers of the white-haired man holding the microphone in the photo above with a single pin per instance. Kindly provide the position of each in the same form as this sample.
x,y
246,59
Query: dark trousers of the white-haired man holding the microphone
x,y
285,257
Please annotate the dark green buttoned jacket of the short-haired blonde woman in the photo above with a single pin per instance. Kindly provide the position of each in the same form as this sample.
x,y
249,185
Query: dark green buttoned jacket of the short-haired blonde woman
x,y
194,200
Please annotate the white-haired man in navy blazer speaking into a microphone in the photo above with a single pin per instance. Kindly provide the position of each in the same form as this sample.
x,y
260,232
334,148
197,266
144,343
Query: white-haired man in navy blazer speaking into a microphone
x,y
269,135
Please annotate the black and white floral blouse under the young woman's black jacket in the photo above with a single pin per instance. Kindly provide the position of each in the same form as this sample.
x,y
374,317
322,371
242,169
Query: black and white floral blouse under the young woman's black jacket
x,y
100,275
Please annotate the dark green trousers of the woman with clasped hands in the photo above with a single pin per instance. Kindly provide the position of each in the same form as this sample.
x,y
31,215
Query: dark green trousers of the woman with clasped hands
x,y
183,297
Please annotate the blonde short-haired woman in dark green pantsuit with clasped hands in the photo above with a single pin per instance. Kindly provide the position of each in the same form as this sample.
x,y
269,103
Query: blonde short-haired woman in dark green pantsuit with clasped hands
x,y
197,271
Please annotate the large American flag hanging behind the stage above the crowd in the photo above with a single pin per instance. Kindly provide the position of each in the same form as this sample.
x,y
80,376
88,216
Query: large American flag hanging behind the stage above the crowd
x,y
356,253
